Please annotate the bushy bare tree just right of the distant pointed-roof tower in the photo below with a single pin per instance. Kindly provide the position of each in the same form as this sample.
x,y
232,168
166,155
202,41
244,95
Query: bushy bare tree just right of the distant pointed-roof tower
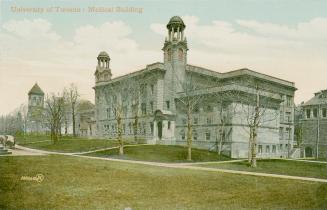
x,y
54,112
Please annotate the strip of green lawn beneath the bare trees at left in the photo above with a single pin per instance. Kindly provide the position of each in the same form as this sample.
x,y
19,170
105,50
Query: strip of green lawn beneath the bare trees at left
x,y
66,144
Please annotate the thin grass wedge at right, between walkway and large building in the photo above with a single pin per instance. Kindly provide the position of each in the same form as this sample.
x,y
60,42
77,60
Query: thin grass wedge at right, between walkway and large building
x,y
286,167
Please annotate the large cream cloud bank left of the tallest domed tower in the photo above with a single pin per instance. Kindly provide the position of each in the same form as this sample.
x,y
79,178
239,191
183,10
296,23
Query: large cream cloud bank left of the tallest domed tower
x,y
32,51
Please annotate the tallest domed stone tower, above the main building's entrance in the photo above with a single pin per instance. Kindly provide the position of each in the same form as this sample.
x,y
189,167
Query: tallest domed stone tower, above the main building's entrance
x,y
175,53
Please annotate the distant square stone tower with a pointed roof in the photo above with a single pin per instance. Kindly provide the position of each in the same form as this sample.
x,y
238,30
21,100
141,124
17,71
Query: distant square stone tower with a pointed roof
x,y
35,109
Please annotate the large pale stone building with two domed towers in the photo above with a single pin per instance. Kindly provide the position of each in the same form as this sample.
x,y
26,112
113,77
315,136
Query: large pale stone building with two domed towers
x,y
152,102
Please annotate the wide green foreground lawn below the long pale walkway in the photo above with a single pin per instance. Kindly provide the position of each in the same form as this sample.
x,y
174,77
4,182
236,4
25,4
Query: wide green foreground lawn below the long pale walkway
x,y
80,183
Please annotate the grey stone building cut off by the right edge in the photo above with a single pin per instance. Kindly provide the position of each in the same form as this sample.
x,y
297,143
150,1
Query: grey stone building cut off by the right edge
x,y
313,126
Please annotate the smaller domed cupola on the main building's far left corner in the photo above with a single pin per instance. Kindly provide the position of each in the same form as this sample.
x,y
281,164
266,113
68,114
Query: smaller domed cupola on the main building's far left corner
x,y
103,71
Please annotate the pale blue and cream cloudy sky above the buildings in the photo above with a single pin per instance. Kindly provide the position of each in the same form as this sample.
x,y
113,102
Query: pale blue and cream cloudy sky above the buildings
x,y
56,42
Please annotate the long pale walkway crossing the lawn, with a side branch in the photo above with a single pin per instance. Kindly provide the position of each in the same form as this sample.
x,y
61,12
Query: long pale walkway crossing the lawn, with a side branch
x,y
178,165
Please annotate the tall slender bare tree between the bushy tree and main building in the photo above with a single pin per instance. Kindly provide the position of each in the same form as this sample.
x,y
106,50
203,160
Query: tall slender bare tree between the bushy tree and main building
x,y
72,95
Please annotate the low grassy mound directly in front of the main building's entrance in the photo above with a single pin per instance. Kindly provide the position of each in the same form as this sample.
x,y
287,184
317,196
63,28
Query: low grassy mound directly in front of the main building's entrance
x,y
160,153
